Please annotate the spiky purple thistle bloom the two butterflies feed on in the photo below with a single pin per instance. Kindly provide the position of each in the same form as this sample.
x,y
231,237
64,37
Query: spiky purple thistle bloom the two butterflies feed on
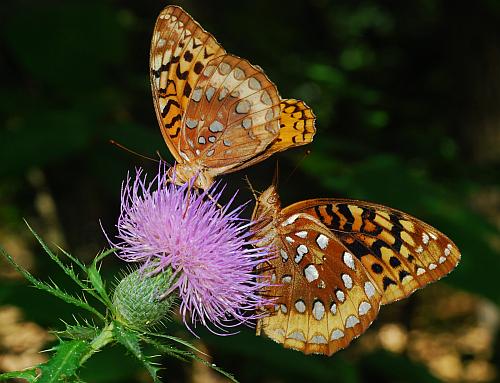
x,y
208,248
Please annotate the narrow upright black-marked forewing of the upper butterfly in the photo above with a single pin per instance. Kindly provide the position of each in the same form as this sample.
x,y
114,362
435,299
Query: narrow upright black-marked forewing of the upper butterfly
x,y
180,50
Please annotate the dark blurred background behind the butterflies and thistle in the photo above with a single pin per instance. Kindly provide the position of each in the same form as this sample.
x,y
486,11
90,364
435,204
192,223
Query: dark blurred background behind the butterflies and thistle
x,y
407,99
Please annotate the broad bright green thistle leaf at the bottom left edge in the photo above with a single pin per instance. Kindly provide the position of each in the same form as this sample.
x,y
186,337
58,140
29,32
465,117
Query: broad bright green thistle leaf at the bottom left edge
x,y
65,362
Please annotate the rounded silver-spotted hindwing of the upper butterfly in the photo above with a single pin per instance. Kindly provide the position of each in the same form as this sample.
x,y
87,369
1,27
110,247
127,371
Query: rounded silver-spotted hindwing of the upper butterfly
x,y
233,113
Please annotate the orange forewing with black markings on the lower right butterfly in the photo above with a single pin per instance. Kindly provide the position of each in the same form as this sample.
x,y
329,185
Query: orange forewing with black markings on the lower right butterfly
x,y
400,253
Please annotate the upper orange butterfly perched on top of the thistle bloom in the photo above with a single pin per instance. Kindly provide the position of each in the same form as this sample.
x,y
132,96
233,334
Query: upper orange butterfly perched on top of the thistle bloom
x,y
217,112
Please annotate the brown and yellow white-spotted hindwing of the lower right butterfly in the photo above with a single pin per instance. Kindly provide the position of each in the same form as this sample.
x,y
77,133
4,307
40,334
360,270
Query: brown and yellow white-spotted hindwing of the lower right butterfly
x,y
324,297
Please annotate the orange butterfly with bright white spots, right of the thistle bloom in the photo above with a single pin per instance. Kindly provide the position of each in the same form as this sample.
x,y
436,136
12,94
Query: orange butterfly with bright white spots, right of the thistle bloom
x,y
337,261
